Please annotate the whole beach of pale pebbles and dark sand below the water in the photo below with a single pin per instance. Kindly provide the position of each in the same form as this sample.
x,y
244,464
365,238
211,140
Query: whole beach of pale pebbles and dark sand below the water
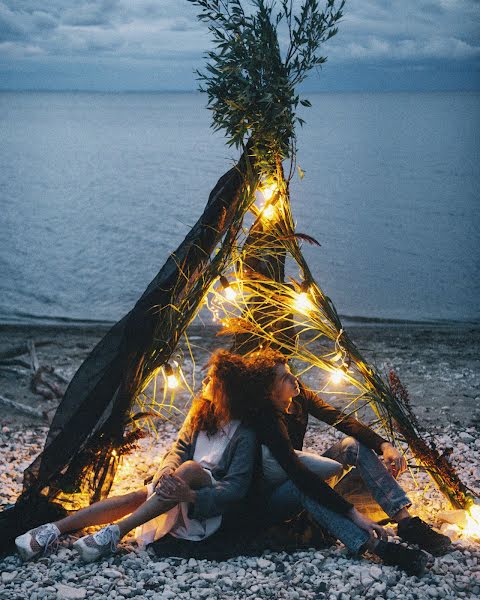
x,y
439,366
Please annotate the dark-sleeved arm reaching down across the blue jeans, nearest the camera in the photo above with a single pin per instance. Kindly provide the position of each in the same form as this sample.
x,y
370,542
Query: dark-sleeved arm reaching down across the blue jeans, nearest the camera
x,y
275,436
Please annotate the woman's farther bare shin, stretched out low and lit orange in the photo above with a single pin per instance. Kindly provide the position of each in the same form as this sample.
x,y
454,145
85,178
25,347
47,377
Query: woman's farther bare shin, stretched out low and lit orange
x,y
104,511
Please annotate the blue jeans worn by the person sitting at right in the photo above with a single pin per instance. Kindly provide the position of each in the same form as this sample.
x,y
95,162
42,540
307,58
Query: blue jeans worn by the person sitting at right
x,y
288,500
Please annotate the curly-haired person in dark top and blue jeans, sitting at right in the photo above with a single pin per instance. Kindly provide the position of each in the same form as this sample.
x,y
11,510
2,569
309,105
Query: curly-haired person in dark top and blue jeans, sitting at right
x,y
281,426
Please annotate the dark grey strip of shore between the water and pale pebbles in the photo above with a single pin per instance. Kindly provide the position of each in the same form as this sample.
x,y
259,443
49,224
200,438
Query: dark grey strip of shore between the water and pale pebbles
x,y
439,365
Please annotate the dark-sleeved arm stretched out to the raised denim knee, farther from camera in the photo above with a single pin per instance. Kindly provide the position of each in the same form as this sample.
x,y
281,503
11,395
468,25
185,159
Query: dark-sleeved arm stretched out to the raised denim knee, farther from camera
x,y
348,425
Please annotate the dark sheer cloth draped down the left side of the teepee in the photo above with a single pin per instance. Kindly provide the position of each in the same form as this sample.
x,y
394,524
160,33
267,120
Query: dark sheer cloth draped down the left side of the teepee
x,y
91,415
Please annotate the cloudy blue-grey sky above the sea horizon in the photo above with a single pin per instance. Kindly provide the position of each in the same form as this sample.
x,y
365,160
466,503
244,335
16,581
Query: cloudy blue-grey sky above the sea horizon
x,y
156,45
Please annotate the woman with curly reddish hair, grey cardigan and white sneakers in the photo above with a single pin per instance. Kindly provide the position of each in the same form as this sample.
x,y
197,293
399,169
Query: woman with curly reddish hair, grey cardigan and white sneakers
x,y
206,473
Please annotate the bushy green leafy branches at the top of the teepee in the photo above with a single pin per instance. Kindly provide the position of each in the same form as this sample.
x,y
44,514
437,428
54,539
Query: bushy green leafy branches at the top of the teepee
x,y
250,81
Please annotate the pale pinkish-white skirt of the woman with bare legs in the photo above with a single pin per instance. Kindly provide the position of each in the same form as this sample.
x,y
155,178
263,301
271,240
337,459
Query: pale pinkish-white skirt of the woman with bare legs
x,y
176,522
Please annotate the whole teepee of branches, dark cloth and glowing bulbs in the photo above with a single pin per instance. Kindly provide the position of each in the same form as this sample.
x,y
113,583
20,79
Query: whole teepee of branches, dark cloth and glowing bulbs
x,y
251,91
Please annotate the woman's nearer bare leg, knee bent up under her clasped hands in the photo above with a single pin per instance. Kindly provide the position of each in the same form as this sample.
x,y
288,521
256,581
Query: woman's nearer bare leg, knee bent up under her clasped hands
x,y
191,472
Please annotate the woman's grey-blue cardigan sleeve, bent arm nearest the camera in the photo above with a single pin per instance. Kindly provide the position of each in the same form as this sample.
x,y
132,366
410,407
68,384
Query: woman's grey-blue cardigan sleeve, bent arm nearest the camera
x,y
215,500
